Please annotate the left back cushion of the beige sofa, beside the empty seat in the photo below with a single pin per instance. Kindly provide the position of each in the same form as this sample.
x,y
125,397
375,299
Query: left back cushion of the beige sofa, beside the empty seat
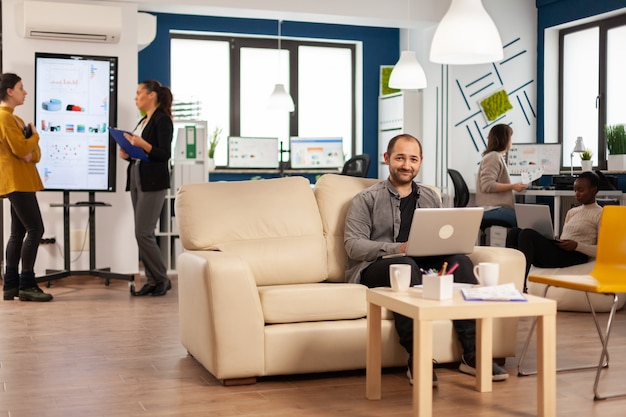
x,y
269,224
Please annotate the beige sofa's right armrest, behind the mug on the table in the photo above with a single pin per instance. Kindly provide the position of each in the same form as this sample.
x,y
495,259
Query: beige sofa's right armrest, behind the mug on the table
x,y
512,263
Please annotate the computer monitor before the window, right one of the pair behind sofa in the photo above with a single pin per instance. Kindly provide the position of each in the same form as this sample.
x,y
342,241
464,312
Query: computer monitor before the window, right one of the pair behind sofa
x,y
311,153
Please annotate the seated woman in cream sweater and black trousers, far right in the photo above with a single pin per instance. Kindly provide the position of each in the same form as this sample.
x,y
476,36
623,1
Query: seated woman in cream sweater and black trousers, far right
x,y
578,241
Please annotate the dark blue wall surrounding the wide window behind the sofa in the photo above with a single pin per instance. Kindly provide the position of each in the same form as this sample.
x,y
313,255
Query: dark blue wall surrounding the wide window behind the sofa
x,y
380,47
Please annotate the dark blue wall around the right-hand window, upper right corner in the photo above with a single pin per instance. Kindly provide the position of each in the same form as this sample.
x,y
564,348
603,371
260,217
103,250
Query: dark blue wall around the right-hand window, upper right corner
x,y
556,12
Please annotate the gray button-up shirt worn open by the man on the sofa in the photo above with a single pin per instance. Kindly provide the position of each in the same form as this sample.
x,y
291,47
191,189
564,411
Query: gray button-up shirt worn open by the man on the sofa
x,y
373,224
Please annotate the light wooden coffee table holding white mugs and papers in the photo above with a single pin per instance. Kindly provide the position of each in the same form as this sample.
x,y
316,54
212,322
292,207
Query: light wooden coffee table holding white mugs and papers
x,y
424,312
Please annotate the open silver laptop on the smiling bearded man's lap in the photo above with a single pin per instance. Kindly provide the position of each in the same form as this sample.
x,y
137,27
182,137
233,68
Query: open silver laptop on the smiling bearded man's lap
x,y
444,231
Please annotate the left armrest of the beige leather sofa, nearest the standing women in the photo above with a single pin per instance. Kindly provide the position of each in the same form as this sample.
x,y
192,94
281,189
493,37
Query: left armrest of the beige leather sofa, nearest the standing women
x,y
221,320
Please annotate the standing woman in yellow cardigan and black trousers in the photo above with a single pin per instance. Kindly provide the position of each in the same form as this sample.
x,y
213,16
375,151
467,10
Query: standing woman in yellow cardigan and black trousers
x,y
19,180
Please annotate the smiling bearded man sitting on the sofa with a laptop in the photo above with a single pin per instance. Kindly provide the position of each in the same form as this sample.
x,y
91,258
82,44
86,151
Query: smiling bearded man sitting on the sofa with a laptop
x,y
378,223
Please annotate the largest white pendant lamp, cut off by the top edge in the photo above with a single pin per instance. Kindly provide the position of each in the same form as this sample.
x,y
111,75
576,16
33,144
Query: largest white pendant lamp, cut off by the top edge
x,y
466,35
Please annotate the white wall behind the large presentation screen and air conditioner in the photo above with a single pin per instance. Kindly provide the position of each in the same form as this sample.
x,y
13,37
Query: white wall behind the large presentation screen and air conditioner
x,y
115,242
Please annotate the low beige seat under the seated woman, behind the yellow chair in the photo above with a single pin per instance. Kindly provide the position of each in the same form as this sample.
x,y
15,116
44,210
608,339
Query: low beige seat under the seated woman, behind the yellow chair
x,y
572,300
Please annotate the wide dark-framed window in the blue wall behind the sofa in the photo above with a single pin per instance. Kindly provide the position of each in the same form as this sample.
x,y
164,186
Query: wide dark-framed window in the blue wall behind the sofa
x,y
230,79
